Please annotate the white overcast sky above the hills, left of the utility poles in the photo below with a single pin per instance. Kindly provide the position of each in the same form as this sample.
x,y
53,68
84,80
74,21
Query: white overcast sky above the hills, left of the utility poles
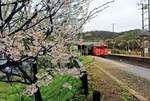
x,y
125,14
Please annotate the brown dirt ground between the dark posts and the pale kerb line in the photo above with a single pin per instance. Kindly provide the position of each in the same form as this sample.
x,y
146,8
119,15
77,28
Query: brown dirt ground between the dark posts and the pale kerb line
x,y
109,89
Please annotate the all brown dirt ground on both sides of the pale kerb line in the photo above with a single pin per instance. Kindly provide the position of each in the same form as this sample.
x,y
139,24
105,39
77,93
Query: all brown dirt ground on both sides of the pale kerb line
x,y
111,90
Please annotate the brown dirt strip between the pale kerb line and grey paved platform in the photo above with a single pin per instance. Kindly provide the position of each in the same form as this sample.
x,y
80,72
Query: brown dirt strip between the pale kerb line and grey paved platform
x,y
137,83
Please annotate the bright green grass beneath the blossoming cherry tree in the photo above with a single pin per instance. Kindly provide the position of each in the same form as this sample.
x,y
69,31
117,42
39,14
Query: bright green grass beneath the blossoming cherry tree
x,y
53,92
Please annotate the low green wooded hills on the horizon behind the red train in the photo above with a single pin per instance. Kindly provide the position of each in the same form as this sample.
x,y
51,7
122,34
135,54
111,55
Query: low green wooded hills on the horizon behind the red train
x,y
104,35
